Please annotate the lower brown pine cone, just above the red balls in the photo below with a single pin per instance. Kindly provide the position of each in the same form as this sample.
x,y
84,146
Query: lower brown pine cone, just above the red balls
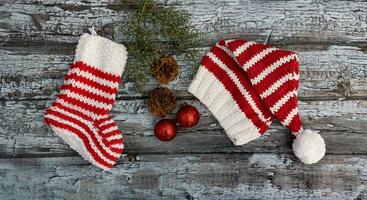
x,y
161,101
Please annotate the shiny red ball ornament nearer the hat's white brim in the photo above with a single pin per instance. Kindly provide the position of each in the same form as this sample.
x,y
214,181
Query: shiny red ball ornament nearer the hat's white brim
x,y
188,116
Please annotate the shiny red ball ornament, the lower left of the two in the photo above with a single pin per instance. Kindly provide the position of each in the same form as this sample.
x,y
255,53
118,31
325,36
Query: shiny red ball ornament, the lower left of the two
x,y
165,130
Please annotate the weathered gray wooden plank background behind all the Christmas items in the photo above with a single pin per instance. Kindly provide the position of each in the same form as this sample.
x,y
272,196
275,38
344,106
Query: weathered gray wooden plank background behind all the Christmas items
x,y
37,44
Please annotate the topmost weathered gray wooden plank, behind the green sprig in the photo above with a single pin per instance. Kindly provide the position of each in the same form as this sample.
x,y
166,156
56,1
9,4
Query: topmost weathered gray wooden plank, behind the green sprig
x,y
298,21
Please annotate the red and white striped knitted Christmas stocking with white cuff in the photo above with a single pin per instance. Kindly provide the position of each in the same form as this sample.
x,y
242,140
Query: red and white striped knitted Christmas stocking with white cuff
x,y
81,113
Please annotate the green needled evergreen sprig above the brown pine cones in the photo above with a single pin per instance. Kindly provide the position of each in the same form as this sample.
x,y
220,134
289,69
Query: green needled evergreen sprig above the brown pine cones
x,y
154,29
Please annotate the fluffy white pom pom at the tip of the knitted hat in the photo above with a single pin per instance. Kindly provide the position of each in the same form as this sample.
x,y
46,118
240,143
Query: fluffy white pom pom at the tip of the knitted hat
x,y
309,147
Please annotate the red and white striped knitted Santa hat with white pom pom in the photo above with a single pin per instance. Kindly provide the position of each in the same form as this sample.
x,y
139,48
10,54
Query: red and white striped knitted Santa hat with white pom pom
x,y
245,85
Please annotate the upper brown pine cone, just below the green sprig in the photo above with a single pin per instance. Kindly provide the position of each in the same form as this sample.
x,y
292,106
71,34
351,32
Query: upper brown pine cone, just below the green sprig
x,y
165,69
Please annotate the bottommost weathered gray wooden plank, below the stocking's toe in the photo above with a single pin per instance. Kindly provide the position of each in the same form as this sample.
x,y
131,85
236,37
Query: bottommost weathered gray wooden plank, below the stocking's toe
x,y
186,176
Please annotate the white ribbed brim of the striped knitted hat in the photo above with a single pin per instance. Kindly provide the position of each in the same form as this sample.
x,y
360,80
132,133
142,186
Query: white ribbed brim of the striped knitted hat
x,y
210,91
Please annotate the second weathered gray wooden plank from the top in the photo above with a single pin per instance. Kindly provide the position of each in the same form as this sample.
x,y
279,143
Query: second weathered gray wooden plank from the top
x,y
326,73
